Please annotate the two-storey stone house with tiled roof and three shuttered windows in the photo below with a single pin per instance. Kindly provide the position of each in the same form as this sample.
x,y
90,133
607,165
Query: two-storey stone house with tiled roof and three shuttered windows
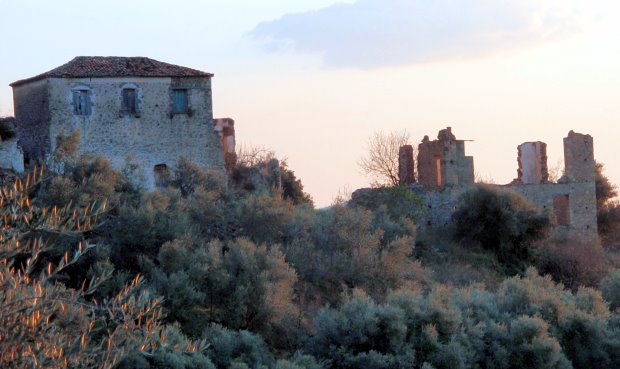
x,y
125,108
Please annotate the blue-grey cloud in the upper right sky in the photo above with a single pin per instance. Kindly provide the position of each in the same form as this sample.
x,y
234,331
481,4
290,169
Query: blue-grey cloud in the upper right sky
x,y
374,33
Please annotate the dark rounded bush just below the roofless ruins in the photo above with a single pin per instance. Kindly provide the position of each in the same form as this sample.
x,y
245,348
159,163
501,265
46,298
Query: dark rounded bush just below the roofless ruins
x,y
501,221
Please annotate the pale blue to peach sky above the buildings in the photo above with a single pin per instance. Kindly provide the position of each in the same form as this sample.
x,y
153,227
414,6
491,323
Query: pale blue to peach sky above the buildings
x,y
313,80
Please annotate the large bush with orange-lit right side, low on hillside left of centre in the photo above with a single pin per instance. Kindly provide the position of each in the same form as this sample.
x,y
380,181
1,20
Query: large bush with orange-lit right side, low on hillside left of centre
x,y
237,284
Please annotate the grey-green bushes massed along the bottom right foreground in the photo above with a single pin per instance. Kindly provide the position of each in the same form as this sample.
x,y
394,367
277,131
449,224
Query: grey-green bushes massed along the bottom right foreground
x,y
529,322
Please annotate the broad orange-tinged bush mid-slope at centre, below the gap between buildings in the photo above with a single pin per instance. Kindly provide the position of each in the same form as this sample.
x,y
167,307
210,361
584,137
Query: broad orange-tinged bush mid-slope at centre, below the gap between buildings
x,y
344,251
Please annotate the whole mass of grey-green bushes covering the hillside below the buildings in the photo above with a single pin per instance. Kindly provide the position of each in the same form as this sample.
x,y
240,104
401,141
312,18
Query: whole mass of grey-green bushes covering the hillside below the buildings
x,y
262,280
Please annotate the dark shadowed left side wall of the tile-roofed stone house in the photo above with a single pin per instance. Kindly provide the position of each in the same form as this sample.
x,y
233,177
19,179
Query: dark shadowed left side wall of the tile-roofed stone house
x,y
33,117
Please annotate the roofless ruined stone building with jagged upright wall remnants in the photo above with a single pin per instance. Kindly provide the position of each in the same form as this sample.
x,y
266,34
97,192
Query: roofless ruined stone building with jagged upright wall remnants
x,y
445,172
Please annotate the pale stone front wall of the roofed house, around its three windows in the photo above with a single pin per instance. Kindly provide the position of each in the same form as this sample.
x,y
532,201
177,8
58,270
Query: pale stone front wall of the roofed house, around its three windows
x,y
153,136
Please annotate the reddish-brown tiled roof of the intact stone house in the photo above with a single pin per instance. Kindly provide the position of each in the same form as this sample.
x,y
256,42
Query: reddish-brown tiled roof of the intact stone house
x,y
115,66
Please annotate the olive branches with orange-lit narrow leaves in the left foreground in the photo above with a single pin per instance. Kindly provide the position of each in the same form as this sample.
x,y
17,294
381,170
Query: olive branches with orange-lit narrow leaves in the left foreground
x,y
45,324
